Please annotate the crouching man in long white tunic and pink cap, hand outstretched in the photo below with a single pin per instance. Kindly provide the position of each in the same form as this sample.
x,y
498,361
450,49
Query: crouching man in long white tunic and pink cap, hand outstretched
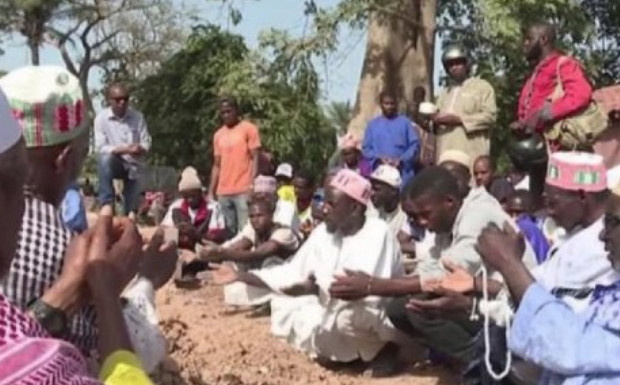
x,y
305,314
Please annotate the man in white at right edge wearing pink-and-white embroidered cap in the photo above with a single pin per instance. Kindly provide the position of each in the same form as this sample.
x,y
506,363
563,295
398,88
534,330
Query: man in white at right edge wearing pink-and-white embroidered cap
x,y
576,194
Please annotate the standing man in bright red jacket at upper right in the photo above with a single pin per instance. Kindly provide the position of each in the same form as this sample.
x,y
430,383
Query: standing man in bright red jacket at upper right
x,y
536,111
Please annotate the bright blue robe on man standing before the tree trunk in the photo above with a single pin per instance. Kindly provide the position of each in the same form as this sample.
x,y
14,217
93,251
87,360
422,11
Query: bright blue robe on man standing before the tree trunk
x,y
392,138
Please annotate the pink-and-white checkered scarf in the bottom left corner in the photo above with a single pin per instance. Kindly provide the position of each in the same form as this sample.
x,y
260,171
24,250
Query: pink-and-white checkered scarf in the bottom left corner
x,y
30,357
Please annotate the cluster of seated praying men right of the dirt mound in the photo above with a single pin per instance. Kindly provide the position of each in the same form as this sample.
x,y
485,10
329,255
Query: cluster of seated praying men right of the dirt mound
x,y
347,291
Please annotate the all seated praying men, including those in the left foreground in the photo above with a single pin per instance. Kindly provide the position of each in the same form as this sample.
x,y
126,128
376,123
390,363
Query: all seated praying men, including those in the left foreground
x,y
337,291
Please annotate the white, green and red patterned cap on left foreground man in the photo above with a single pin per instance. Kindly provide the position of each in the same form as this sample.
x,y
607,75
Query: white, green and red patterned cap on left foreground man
x,y
47,103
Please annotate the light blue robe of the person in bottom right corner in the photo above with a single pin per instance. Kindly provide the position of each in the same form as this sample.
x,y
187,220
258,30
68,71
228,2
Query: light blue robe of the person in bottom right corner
x,y
574,349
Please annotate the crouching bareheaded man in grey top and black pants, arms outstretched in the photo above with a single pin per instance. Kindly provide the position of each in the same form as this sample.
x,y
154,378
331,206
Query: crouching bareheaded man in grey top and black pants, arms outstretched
x,y
435,200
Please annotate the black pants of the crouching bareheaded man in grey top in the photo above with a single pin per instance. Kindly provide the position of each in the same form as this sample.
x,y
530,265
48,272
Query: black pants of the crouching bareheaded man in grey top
x,y
453,337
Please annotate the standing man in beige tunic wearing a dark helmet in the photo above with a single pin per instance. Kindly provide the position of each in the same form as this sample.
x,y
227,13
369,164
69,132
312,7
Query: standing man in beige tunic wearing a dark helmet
x,y
467,109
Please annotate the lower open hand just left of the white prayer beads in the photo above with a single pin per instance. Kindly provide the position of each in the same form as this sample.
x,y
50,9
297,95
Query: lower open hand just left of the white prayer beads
x,y
448,303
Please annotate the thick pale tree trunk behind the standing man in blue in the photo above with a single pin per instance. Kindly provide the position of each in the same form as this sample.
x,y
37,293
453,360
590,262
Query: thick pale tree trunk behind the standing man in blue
x,y
399,57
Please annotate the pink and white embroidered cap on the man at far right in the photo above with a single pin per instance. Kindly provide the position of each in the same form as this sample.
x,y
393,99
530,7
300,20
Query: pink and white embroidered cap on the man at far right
x,y
577,171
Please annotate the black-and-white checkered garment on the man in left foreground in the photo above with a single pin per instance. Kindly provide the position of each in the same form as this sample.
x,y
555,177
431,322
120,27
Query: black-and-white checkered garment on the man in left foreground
x,y
38,262
